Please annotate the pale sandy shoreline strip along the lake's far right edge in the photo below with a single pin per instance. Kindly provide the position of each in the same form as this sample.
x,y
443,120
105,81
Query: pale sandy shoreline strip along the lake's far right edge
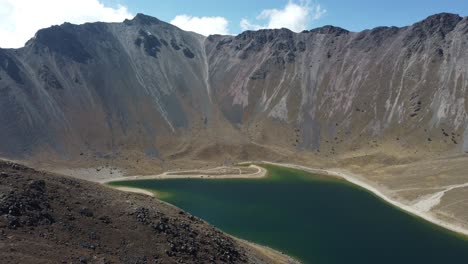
x,y
356,180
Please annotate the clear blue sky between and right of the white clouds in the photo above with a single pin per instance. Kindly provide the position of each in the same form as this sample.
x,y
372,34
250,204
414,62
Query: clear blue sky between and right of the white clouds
x,y
354,15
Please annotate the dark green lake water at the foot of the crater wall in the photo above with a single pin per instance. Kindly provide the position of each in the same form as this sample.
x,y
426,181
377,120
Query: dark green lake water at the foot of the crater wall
x,y
316,219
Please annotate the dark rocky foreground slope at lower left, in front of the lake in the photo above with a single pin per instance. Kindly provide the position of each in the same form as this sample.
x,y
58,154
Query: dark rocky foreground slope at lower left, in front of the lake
x,y
48,218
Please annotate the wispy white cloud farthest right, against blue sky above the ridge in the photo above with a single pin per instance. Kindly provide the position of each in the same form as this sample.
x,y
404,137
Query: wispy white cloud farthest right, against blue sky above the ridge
x,y
294,16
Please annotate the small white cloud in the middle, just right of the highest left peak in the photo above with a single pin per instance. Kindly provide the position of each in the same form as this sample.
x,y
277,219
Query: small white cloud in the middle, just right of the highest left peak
x,y
202,25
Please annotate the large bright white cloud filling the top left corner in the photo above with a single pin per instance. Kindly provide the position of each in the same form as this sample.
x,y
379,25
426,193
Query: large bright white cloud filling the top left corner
x,y
20,19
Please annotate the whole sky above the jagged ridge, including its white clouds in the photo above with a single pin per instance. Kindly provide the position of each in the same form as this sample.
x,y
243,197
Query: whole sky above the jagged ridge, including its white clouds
x,y
20,19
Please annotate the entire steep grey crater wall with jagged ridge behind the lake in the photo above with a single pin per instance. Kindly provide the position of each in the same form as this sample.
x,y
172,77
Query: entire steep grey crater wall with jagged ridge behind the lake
x,y
144,86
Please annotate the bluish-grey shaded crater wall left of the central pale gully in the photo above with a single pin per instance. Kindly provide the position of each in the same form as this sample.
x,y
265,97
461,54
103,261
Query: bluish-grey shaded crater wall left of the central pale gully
x,y
102,87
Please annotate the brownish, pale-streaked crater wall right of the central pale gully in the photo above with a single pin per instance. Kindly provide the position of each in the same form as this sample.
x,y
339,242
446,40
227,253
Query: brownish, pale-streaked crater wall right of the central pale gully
x,y
339,88
